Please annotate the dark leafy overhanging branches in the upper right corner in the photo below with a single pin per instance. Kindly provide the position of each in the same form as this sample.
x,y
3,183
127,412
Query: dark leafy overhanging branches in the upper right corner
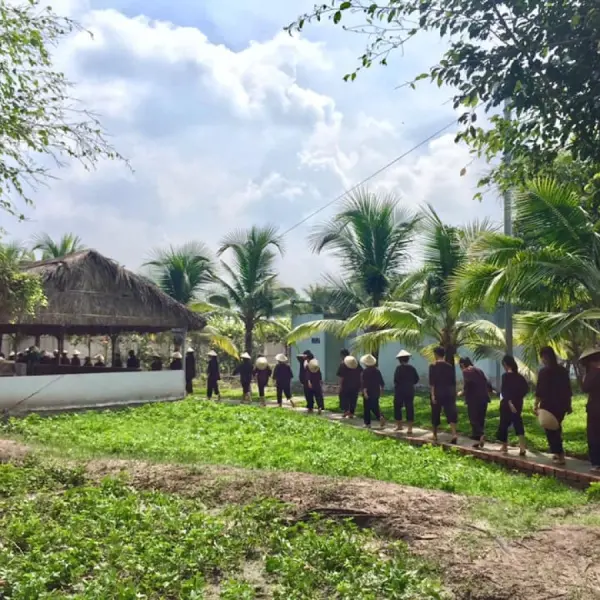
x,y
541,57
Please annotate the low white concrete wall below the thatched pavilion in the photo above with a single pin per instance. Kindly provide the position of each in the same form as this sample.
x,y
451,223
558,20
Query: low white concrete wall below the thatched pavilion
x,y
49,393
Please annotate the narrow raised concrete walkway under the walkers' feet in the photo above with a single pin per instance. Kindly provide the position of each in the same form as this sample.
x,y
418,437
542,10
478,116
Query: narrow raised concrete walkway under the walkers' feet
x,y
576,471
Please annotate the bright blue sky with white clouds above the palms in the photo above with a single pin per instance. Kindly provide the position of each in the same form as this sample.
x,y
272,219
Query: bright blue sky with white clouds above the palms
x,y
228,121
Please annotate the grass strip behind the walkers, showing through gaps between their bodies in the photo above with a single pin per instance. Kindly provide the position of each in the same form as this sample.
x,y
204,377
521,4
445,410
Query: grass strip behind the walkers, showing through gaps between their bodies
x,y
574,425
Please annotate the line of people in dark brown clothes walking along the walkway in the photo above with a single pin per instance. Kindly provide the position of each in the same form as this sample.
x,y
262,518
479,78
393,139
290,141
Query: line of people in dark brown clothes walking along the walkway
x,y
553,393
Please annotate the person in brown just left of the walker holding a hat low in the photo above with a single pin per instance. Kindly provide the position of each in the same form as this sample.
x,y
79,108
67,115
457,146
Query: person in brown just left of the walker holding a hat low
x,y
514,388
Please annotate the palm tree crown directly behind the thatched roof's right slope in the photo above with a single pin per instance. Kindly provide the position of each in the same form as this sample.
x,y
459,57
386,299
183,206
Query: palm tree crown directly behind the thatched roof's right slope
x,y
183,271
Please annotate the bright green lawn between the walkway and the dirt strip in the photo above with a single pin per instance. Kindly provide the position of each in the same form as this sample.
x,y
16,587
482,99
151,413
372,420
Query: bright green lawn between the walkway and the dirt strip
x,y
201,432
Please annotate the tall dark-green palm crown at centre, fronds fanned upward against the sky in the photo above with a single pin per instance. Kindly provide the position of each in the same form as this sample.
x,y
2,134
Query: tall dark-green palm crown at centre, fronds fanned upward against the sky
x,y
371,237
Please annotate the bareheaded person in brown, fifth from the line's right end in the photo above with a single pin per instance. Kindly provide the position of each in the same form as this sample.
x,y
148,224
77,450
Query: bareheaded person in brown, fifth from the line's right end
x,y
442,386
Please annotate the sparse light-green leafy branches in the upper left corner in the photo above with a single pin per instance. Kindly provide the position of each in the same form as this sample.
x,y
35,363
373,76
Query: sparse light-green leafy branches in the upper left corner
x,y
41,125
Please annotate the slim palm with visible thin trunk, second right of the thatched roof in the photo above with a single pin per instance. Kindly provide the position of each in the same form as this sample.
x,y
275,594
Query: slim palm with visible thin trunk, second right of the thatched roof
x,y
250,291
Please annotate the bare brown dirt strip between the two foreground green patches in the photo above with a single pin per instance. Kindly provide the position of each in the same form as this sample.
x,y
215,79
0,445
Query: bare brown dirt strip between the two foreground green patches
x,y
562,562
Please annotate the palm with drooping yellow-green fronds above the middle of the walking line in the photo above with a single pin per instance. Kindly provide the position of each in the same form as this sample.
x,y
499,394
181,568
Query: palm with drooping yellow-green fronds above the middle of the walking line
x,y
435,316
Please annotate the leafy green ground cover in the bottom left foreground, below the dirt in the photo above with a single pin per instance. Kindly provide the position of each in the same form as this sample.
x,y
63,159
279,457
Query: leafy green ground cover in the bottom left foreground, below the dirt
x,y
63,538
